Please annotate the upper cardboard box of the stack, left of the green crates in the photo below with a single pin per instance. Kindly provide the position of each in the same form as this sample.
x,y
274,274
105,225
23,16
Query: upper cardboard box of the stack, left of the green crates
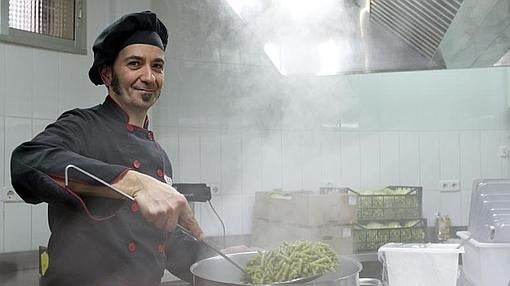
x,y
306,208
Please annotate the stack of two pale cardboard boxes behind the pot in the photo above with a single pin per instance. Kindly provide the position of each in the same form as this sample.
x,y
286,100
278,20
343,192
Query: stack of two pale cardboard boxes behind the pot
x,y
300,215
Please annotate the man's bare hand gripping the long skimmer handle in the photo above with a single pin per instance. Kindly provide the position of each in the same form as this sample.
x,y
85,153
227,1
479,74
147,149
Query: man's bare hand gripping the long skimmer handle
x,y
160,204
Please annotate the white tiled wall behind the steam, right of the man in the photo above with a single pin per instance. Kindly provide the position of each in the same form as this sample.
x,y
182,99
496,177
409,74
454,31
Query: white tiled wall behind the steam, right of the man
x,y
229,119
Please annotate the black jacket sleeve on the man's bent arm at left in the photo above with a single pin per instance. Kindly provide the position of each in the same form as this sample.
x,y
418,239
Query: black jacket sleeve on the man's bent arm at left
x,y
36,165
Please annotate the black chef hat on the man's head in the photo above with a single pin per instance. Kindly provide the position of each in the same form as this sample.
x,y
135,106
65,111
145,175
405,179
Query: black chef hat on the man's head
x,y
135,28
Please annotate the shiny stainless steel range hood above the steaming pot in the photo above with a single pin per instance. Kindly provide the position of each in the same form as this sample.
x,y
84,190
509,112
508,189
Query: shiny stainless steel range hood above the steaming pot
x,y
359,36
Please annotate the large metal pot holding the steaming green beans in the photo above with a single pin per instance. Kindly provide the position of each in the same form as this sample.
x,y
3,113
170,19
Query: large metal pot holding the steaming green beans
x,y
216,271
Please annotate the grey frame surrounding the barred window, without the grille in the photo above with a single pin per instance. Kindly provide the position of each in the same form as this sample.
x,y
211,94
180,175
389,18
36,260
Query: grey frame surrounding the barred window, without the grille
x,y
76,46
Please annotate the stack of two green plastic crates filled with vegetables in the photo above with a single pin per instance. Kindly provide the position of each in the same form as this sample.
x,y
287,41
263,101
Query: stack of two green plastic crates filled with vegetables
x,y
392,216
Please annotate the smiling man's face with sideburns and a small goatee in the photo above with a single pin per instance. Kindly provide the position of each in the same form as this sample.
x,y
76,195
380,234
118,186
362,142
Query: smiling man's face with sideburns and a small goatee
x,y
137,76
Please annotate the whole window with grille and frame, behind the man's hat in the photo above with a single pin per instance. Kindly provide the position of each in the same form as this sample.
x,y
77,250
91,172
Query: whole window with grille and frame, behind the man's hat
x,y
51,24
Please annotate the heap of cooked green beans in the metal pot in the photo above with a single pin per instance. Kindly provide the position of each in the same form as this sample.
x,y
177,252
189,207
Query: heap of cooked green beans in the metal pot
x,y
291,260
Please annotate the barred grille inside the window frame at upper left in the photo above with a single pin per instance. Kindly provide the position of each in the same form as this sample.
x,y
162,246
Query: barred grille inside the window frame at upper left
x,y
49,17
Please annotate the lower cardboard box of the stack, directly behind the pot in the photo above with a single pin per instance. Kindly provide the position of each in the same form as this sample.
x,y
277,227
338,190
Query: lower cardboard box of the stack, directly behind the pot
x,y
267,235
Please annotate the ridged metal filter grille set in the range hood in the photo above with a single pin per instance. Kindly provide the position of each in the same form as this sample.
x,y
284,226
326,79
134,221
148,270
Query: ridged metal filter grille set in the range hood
x,y
420,23
